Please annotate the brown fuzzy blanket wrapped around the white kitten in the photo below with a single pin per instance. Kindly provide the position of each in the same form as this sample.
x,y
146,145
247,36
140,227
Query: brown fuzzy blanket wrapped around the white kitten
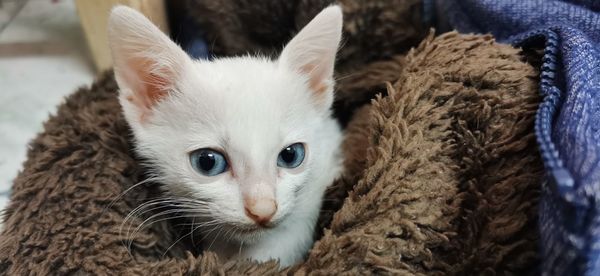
x,y
442,177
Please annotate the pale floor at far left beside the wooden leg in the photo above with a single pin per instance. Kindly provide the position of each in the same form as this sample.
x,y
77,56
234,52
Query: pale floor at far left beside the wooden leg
x,y
43,58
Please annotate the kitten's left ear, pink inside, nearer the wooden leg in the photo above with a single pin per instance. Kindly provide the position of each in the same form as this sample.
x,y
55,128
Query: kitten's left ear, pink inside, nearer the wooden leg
x,y
147,63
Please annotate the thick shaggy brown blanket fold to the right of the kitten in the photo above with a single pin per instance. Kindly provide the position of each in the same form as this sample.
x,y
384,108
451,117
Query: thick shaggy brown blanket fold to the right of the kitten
x,y
452,175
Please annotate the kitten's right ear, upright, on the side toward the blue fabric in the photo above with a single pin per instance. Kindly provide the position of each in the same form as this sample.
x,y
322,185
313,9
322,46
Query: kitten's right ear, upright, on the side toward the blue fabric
x,y
312,51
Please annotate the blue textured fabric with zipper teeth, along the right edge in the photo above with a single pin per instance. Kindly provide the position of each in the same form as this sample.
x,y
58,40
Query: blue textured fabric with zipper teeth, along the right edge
x,y
568,120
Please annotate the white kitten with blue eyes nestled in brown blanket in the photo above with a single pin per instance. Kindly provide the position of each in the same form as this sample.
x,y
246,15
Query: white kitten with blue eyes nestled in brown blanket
x,y
246,144
